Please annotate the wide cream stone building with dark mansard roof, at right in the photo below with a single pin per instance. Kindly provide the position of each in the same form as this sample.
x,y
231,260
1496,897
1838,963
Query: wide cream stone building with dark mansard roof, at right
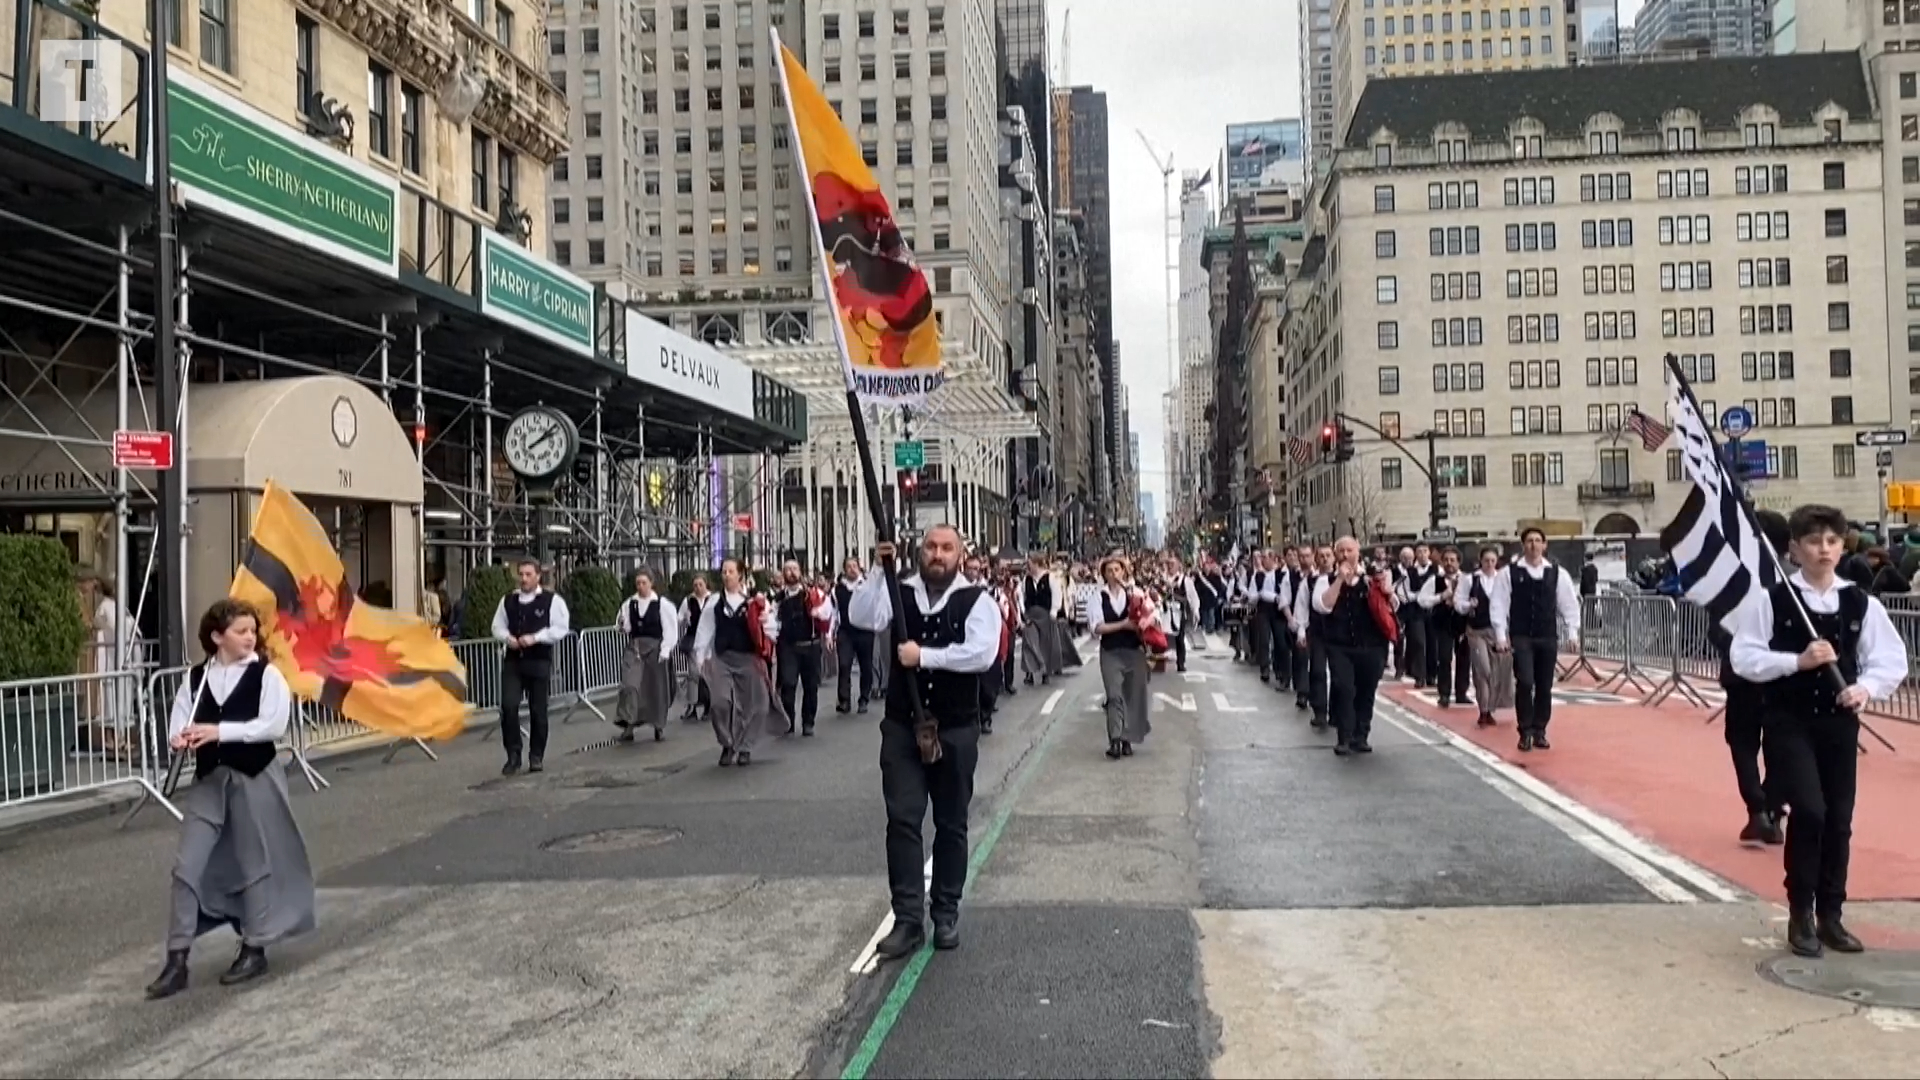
x,y
1491,280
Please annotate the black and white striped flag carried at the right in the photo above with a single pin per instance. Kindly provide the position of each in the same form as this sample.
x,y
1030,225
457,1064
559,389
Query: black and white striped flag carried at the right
x,y
1719,551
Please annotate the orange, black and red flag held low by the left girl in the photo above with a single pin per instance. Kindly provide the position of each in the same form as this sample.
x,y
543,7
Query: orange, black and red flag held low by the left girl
x,y
381,670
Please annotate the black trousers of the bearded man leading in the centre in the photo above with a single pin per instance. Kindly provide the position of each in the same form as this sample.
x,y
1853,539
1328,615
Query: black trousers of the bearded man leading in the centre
x,y
909,789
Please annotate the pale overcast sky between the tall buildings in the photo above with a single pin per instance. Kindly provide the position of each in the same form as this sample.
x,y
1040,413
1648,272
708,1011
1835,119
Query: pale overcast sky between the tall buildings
x,y
1180,80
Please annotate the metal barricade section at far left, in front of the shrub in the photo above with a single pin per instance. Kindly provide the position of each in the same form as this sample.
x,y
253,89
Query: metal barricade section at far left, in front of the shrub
x,y
82,733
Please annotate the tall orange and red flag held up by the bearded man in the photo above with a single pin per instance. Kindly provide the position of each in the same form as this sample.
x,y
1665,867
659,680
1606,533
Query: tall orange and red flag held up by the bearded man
x,y
888,333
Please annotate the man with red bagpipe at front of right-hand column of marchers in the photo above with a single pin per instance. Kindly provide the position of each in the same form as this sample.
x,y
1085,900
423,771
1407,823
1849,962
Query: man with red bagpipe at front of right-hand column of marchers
x,y
1358,626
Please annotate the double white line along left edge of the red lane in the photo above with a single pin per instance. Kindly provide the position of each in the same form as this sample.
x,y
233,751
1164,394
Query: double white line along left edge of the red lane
x,y
1627,848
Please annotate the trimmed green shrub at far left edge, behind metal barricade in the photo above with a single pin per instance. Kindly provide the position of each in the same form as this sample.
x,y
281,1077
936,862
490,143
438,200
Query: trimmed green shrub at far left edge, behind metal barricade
x,y
41,624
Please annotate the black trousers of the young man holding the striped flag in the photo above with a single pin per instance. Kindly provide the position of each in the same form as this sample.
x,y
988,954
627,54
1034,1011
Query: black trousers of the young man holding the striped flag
x,y
1813,768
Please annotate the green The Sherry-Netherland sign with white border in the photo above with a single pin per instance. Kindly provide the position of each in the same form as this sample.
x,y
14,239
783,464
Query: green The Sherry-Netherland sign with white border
x,y
239,162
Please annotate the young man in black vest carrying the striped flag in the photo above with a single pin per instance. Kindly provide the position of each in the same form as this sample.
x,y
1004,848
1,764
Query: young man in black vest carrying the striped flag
x,y
1813,725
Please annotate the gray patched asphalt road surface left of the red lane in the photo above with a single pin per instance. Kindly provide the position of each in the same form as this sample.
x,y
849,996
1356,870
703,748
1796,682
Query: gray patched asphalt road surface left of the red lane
x,y
1230,902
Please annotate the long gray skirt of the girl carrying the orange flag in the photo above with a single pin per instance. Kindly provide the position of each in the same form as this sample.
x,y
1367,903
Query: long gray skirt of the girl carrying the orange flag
x,y
243,862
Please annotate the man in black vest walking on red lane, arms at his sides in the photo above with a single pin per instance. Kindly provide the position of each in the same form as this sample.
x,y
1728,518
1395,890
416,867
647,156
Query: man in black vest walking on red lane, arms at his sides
x,y
1525,602
